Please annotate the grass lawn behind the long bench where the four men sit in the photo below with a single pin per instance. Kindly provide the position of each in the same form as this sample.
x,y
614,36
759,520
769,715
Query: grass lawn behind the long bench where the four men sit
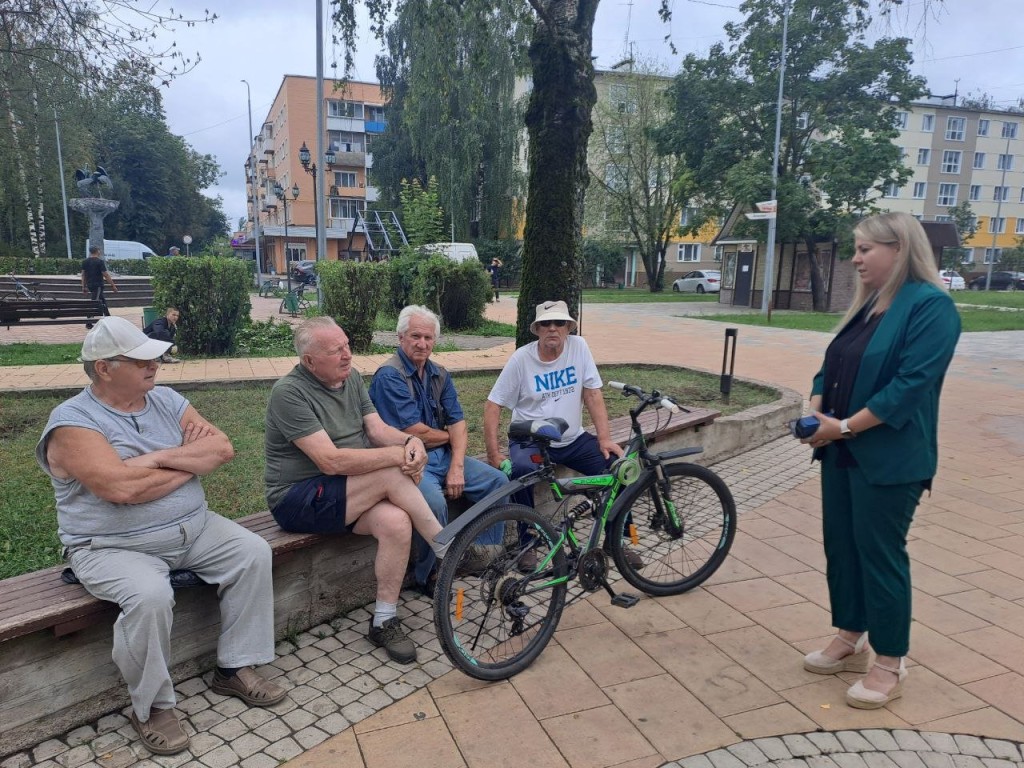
x,y
28,518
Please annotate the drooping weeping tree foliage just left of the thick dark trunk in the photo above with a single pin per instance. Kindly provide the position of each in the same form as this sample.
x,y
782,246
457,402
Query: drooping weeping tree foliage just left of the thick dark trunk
x,y
452,113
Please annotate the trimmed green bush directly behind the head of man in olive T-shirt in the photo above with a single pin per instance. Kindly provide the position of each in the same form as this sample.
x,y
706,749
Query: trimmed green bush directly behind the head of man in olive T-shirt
x,y
354,293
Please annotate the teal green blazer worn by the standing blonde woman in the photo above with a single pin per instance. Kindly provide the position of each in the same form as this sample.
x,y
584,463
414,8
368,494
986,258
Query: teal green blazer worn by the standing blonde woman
x,y
900,380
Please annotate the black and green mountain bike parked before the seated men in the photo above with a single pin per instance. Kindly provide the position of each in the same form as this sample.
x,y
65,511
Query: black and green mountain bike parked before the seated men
x,y
495,617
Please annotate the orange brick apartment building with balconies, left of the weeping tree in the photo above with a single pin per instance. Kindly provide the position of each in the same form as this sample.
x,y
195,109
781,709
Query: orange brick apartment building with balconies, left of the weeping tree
x,y
281,189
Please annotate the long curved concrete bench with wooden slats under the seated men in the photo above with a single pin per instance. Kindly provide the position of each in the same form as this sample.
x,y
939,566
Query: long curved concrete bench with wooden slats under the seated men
x,y
56,666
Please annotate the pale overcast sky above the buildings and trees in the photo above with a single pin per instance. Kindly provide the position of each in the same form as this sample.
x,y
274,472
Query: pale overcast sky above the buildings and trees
x,y
978,42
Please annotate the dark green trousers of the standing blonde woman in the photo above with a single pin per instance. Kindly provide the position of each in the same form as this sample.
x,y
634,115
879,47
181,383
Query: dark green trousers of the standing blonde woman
x,y
868,568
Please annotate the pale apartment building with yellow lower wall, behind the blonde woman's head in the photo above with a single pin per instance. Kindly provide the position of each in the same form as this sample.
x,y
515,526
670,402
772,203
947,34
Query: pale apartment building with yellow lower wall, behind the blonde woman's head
x,y
963,155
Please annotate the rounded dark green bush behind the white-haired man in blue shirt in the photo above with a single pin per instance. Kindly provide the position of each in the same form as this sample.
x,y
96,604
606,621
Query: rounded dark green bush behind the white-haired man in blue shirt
x,y
457,292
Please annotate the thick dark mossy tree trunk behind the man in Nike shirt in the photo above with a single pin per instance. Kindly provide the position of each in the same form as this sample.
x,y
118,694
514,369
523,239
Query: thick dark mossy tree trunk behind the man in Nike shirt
x,y
560,124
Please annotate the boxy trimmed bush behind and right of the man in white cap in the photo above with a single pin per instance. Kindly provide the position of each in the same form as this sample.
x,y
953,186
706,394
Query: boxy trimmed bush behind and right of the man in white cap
x,y
214,297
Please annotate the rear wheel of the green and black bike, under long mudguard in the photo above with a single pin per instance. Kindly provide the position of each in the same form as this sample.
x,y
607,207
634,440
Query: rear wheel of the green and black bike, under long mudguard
x,y
492,619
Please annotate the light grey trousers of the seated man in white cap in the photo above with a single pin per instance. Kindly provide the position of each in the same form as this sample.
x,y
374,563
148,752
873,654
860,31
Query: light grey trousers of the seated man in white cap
x,y
133,572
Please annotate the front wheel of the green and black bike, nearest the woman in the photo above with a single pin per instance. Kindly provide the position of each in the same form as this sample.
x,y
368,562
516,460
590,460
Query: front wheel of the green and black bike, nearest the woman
x,y
681,536
